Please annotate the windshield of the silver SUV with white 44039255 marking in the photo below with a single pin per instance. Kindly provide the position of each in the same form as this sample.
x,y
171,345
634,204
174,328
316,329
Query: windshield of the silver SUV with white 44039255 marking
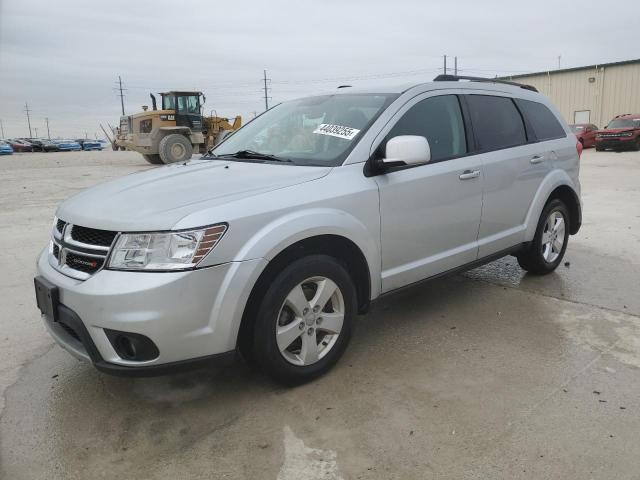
x,y
310,131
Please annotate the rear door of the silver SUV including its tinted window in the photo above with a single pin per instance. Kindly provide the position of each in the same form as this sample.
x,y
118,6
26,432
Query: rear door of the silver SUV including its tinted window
x,y
514,165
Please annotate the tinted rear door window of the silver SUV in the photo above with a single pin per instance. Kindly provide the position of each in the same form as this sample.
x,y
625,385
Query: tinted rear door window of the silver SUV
x,y
496,122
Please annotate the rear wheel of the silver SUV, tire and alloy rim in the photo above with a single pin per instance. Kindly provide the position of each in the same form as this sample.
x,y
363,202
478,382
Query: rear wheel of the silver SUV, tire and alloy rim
x,y
550,241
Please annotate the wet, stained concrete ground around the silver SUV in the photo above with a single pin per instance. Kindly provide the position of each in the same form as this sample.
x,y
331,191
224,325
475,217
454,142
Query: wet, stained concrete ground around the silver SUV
x,y
491,374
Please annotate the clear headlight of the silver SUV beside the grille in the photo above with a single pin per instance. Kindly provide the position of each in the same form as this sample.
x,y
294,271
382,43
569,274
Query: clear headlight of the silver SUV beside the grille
x,y
164,250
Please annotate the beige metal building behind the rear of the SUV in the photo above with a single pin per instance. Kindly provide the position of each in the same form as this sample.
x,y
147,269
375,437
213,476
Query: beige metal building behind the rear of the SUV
x,y
592,94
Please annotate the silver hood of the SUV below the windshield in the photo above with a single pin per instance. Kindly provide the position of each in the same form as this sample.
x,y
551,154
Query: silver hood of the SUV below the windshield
x,y
158,198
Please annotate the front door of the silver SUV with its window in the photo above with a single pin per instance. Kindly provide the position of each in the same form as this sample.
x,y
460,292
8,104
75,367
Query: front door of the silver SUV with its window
x,y
430,214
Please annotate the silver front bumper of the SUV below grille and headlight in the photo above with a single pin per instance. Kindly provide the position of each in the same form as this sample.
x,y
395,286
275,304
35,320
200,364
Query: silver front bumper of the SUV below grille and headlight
x,y
191,316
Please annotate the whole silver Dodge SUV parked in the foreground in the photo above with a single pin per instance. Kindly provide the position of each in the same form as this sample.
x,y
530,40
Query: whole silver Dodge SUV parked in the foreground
x,y
270,244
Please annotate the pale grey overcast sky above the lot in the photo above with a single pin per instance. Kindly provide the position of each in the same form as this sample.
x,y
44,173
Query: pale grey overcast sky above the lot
x,y
63,57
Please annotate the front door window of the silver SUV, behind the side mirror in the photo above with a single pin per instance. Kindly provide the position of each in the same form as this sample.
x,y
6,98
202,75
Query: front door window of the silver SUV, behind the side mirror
x,y
439,120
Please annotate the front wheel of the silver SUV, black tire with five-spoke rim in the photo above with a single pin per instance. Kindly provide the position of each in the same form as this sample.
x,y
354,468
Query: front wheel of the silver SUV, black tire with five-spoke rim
x,y
303,322
